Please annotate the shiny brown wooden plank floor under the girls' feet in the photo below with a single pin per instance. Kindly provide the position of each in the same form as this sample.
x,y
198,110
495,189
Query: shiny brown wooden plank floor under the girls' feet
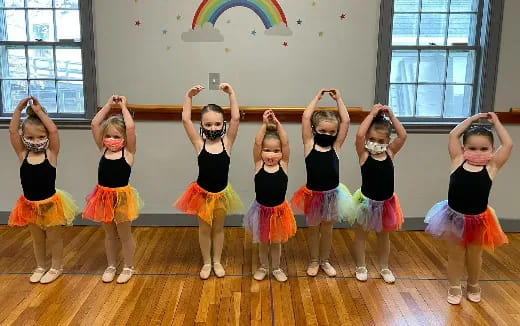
x,y
168,291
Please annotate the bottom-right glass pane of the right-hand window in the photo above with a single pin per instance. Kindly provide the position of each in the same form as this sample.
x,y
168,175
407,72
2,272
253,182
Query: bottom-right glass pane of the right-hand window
x,y
458,101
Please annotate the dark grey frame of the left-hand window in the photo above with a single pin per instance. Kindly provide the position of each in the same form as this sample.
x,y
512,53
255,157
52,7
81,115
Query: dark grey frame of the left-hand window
x,y
88,68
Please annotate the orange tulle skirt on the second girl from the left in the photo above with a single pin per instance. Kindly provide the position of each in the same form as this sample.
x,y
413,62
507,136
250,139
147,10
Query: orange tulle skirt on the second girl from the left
x,y
104,204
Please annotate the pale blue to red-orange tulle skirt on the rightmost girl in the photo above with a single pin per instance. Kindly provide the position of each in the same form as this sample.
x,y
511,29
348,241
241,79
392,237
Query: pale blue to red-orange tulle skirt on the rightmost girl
x,y
482,229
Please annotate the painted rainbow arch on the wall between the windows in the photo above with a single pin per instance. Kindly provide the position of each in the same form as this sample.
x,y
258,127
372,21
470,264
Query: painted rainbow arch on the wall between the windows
x,y
269,11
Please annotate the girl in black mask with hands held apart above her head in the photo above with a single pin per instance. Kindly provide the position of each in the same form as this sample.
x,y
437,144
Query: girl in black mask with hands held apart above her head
x,y
211,197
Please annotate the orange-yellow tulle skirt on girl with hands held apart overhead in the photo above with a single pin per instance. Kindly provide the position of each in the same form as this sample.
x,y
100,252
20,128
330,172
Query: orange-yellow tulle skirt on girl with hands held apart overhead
x,y
197,201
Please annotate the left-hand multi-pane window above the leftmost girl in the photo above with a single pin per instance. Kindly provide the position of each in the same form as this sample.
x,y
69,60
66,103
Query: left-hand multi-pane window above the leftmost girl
x,y
43,54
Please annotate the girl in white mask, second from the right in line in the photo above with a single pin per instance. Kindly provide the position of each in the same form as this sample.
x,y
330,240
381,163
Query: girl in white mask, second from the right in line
x,y
375,207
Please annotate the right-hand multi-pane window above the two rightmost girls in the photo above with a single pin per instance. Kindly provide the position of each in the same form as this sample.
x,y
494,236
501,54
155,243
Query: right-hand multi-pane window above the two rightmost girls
x,y
434,55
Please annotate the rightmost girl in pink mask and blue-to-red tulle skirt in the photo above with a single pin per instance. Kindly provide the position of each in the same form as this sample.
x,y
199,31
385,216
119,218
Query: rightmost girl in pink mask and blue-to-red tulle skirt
x,y
465,219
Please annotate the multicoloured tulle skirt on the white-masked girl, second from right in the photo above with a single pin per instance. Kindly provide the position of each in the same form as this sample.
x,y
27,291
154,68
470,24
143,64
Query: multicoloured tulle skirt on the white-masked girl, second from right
x,y
375,215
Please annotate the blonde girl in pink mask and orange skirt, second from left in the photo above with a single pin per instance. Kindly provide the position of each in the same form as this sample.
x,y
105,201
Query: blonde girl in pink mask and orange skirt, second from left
x,y
113,201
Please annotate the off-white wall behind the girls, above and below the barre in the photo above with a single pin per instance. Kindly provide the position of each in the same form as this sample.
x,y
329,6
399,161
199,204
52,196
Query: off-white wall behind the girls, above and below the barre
x,y
129,63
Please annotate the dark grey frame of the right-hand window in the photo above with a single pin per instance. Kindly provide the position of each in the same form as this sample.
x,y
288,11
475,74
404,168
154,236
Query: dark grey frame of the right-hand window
x,y
489,28
